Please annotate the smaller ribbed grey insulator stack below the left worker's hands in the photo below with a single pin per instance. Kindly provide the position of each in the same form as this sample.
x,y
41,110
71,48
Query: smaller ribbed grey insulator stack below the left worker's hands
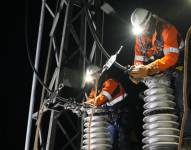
x,y
96,134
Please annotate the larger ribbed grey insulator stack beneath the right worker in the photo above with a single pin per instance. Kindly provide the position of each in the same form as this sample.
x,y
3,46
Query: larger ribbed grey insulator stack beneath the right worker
x,y
160,122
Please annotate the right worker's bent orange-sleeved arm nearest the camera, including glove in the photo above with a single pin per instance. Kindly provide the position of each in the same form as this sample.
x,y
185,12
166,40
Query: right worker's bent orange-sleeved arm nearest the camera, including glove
x,y
171,55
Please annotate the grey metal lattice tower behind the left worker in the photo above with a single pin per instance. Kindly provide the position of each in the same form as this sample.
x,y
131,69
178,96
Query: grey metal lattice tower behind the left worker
x,y
71,48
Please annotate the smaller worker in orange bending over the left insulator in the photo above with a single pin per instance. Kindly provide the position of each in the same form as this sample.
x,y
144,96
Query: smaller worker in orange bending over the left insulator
x,y
112,94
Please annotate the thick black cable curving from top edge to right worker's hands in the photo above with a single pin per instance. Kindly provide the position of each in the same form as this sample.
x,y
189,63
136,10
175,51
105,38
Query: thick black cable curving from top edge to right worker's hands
x,y
94,34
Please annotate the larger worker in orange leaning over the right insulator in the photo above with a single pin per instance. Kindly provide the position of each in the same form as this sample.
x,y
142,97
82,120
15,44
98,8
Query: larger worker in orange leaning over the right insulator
x,y
159,48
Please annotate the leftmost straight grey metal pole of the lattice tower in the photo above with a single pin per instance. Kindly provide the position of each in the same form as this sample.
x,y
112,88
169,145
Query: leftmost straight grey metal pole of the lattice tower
x,y
34,82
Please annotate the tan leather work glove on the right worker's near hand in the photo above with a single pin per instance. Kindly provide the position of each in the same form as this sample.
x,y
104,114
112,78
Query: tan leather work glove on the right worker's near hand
x,y
140,71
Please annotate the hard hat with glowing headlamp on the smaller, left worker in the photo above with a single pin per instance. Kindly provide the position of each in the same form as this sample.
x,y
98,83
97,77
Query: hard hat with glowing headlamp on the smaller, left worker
x,y
92,72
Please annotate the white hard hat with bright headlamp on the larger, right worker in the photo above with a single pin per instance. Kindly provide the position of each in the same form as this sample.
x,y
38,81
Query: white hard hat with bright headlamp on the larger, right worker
x,y
140,19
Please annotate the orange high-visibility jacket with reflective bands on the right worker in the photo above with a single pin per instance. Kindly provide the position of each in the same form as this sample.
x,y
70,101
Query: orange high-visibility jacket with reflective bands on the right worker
x,y
170,47
